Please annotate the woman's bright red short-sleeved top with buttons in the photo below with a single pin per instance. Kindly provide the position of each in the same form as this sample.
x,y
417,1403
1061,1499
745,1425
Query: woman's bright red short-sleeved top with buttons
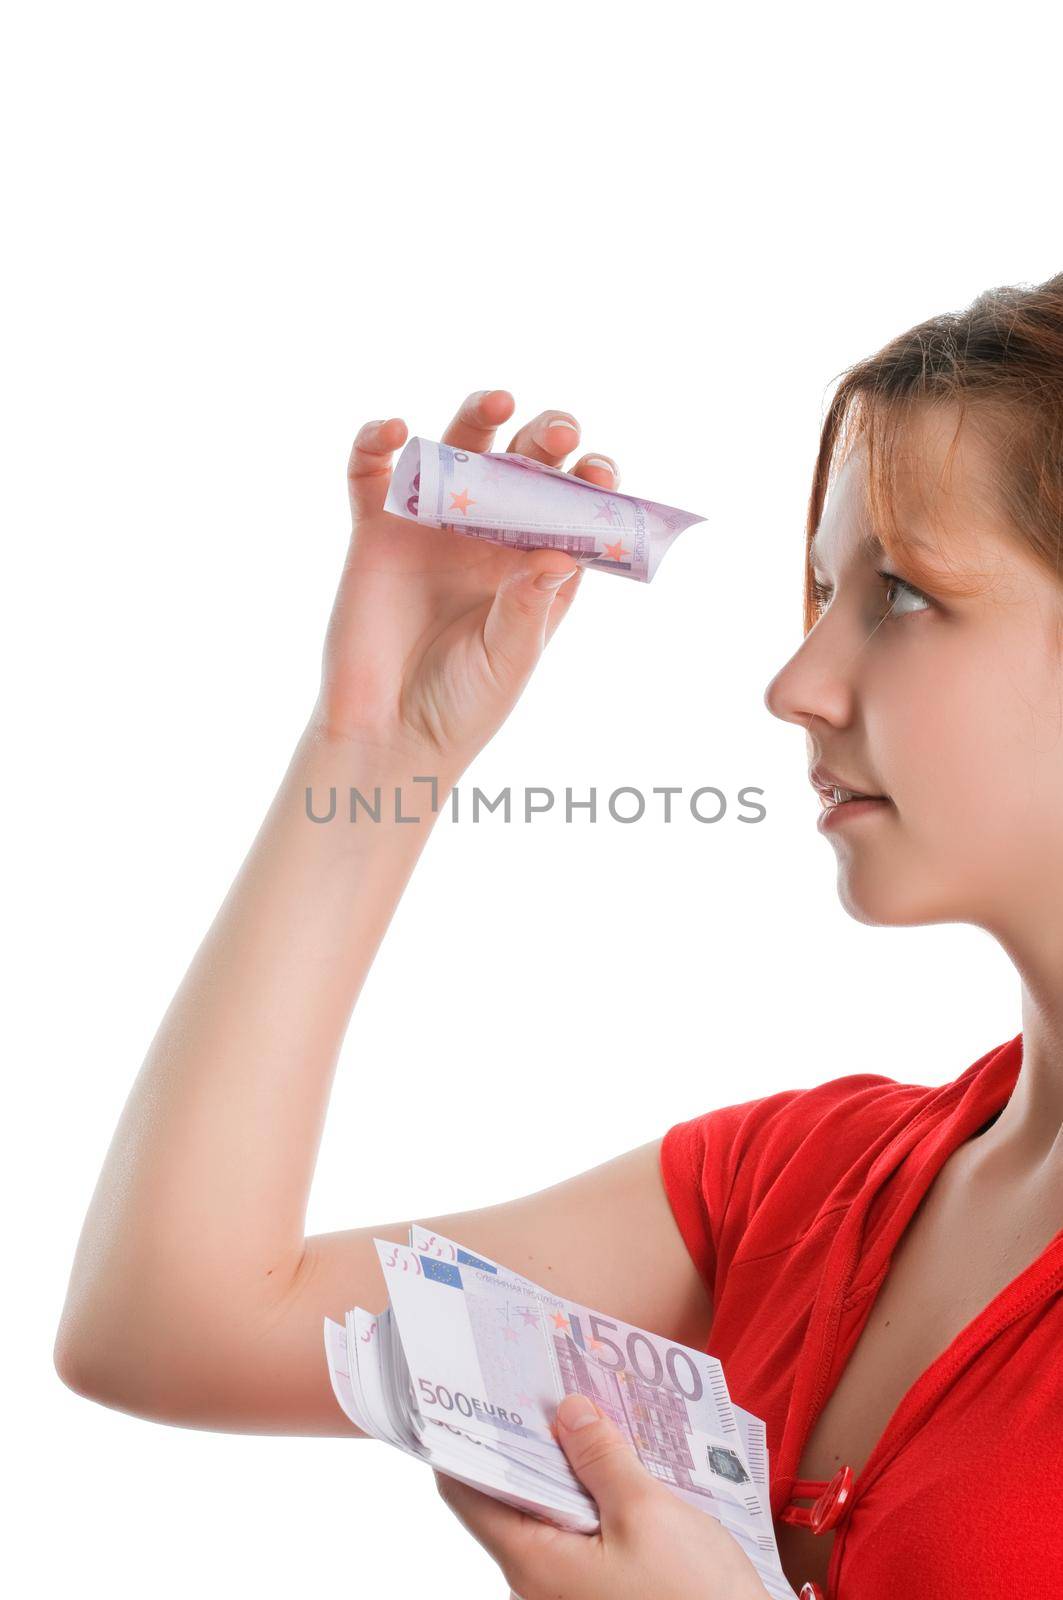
x,y
792,1207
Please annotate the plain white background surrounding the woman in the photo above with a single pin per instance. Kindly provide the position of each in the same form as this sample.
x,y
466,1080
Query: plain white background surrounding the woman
x,y
236,234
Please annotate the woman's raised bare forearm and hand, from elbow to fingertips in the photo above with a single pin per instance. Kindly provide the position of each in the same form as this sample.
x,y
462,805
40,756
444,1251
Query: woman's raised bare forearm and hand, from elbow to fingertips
x,y
195,1247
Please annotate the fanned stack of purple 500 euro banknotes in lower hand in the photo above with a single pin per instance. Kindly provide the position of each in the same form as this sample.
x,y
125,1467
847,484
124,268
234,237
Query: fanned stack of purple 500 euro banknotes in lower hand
x,y
470,1361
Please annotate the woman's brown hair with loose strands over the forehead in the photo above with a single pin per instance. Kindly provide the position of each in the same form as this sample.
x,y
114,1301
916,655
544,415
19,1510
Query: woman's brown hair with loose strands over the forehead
x,y
1000,364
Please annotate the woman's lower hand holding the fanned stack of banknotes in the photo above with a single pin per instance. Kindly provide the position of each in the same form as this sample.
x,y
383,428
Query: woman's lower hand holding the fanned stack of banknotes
x,y
651,1542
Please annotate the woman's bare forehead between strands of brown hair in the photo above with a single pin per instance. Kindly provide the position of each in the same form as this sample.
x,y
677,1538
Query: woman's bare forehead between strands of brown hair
x,y
945,498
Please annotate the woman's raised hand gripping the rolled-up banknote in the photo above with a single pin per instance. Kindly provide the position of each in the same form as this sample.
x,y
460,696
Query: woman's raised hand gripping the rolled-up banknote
x,y
435,634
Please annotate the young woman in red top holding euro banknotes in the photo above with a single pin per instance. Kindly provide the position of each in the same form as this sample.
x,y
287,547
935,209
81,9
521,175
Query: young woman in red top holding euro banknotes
x,y
876,1263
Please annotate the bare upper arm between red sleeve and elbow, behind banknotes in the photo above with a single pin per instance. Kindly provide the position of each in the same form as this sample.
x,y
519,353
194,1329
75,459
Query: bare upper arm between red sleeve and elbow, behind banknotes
x,y
606,1238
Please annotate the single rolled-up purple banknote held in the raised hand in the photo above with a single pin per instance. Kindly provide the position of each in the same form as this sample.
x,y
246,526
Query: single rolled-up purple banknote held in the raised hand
x,y
518,502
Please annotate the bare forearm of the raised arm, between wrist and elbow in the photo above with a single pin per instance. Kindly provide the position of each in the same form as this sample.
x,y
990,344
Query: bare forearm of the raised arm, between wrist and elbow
x,y
203,1196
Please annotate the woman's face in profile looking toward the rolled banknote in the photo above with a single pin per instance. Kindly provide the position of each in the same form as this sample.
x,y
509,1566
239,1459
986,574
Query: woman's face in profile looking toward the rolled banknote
x,y
950,708
